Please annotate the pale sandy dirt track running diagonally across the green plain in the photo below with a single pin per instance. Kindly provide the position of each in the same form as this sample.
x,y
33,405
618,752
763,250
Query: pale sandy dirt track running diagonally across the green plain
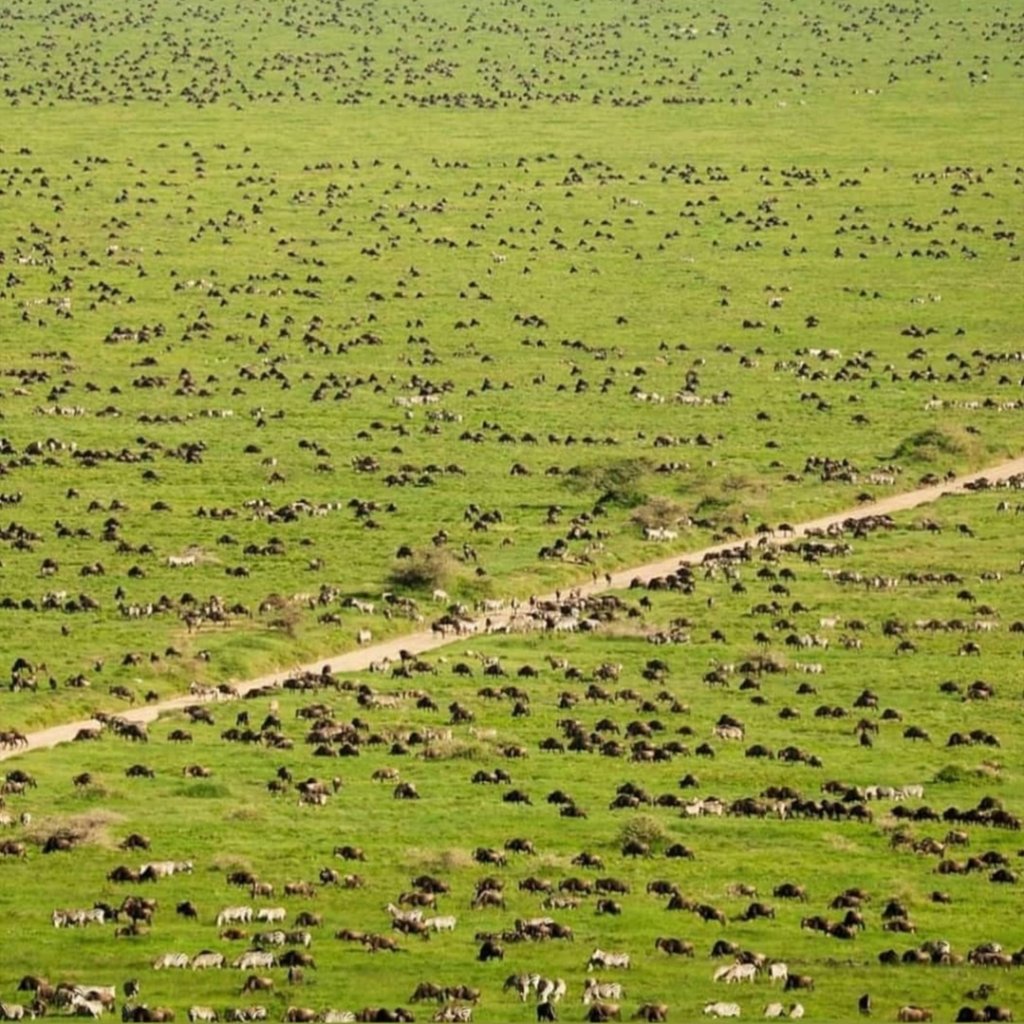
x,y
358,661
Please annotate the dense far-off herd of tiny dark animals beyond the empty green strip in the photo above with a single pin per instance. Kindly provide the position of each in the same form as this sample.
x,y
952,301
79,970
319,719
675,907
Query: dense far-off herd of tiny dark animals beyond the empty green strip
x,y
500,56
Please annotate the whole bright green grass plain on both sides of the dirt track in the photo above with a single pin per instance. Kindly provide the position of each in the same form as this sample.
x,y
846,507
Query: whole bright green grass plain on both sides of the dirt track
x,y
289,290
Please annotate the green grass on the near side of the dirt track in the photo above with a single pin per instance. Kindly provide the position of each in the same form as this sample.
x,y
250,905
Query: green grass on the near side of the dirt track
x,y
230,821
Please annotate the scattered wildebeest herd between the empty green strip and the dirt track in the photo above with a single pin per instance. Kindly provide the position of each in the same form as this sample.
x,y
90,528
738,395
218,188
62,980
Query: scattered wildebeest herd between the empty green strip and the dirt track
x,y
108,462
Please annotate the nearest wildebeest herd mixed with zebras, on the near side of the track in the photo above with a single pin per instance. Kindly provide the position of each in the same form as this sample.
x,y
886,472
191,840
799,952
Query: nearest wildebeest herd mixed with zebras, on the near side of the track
x,y
280,934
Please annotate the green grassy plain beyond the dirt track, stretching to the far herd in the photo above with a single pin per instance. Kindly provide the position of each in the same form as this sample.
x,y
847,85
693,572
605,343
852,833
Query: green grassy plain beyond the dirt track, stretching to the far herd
x,y
237,238
